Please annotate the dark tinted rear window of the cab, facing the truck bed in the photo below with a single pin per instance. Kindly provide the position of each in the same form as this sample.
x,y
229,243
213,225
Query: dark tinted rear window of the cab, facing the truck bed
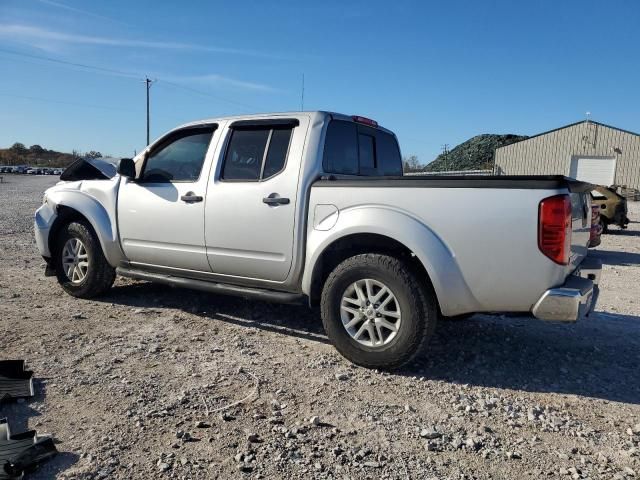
x,y
353,149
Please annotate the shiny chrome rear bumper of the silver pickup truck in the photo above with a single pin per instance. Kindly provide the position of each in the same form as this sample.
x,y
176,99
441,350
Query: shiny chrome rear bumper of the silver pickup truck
x,y
573,300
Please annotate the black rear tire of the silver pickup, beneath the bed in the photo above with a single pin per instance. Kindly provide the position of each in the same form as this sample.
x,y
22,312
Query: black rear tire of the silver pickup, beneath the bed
x,y
413,296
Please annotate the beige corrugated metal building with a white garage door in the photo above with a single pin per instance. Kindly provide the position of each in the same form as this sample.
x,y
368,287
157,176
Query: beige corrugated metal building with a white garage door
x,y
586,150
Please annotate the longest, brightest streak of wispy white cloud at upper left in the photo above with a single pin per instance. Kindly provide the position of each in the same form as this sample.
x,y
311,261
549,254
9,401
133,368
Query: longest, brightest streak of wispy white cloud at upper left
x,y
34,36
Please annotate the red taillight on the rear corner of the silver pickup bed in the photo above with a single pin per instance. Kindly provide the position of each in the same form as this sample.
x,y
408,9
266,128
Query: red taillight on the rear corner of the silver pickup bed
x,y
554,228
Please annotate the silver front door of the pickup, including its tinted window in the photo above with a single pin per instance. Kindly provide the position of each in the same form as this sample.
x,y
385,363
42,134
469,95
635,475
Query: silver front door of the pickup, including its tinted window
x,y
161,213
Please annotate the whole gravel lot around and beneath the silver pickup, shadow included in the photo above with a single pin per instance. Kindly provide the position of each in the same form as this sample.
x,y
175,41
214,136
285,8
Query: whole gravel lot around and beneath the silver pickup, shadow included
x,y
135,384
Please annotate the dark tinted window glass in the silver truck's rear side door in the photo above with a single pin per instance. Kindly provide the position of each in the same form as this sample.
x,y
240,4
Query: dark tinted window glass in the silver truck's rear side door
x,y
256,154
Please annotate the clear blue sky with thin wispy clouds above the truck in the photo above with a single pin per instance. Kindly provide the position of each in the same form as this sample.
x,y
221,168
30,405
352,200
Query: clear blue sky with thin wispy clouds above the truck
x,y
435,72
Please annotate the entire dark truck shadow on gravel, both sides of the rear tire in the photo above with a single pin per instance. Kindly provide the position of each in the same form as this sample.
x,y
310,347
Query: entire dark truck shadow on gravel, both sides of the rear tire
x,y
596,357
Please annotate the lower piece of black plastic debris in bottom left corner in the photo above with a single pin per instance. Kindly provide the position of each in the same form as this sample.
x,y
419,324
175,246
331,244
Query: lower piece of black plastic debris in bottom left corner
x,y
22,452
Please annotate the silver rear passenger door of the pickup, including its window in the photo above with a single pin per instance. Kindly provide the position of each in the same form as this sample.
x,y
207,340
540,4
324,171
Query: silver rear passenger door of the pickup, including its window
x,y
251,200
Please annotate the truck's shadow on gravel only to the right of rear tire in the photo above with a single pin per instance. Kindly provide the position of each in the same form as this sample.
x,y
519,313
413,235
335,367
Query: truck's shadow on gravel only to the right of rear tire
x,y
597,357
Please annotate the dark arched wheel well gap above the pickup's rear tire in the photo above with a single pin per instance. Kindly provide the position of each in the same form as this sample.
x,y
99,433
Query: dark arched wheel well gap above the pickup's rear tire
x,y
357,244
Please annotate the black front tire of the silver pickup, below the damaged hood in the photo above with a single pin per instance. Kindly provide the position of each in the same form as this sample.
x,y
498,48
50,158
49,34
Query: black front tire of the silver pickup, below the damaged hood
x,y
98,274
